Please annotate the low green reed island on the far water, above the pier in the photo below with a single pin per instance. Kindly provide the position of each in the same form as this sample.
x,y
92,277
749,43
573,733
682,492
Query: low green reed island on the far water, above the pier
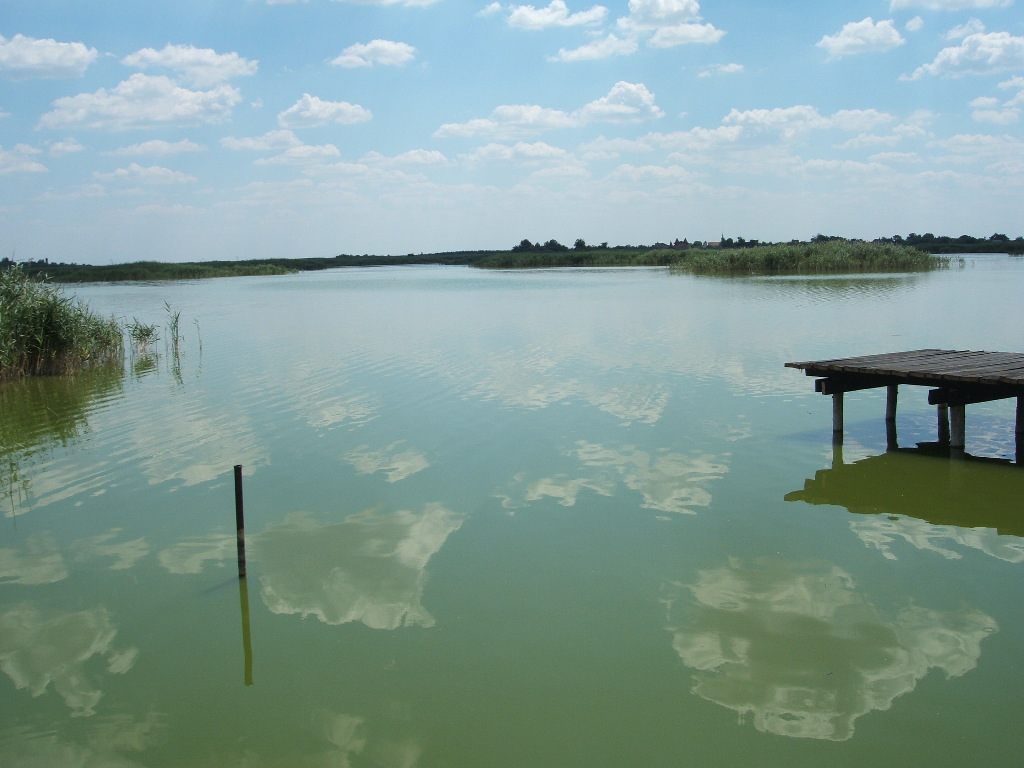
x,y
813,259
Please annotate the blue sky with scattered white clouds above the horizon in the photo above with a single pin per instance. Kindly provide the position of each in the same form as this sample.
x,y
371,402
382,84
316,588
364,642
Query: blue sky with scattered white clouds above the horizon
x,y
204,130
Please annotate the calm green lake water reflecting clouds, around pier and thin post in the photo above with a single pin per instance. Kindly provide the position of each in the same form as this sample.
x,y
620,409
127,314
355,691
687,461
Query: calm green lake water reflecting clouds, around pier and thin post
x,y
549,519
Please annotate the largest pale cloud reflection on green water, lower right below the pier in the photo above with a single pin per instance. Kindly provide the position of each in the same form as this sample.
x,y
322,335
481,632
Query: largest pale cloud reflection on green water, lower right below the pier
x,y
800,651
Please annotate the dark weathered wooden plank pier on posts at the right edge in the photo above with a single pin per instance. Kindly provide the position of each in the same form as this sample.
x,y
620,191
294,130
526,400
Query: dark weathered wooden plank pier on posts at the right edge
x,y
959,378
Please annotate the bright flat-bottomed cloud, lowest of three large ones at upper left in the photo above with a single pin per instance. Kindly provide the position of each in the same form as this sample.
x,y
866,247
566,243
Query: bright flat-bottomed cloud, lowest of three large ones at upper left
x,y
142,102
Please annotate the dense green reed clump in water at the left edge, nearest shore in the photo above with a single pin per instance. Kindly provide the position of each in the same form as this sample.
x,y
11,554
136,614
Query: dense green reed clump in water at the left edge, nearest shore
x,y
46,332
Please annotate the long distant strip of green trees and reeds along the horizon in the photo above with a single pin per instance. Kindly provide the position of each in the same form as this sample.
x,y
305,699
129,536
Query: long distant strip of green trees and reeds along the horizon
x,y
729,257
